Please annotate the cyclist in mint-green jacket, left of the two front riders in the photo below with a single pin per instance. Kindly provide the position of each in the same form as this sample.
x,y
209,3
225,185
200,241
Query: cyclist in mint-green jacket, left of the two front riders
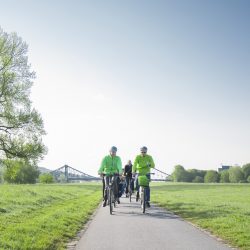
x,y
111,165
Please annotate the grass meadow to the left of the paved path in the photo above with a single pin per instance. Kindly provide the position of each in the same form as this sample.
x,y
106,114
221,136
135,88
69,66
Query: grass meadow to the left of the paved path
x,y
44,216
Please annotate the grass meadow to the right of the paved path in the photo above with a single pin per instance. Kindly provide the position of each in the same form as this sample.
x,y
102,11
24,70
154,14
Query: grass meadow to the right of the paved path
x,y
224,210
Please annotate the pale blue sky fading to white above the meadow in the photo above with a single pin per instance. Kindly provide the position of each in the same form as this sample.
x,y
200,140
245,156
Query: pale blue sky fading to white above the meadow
x,y
171,75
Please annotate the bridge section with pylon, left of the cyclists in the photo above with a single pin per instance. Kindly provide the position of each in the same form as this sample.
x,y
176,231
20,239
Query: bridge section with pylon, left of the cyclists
x,y
67,173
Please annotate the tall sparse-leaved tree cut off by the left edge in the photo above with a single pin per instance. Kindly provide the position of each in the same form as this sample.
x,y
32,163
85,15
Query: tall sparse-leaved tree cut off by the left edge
x,y
21,126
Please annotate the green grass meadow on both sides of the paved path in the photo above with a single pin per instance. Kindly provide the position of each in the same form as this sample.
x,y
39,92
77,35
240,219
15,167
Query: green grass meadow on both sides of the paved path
x,y
48,216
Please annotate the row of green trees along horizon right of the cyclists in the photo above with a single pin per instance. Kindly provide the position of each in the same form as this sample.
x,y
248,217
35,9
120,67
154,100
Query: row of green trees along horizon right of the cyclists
x,y
234,174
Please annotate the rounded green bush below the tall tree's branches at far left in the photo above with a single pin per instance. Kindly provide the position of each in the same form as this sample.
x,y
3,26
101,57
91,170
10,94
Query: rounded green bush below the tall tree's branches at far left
x,y
20,172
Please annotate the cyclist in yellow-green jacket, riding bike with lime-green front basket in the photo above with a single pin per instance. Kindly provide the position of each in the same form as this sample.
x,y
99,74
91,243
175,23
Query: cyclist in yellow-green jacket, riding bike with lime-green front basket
x,y
142,165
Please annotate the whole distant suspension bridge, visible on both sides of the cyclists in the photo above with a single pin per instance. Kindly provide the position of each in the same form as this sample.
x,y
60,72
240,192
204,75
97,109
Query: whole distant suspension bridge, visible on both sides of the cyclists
x,y
67,174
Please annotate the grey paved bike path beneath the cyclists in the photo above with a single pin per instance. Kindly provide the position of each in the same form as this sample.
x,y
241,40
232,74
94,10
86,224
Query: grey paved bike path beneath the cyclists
x,y
157,229
